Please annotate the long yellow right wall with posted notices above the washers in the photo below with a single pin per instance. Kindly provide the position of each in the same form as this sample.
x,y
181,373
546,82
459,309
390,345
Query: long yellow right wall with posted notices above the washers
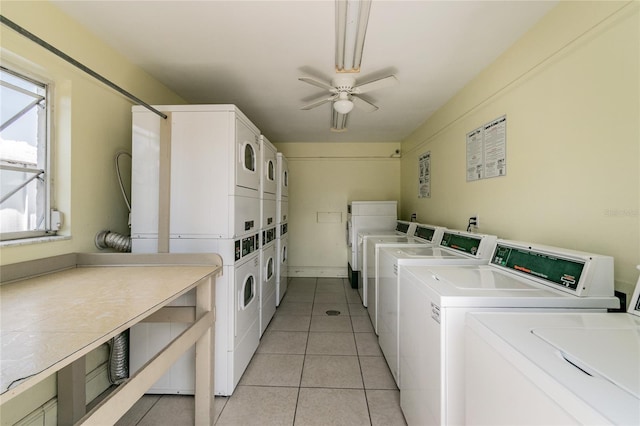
x,y
570,90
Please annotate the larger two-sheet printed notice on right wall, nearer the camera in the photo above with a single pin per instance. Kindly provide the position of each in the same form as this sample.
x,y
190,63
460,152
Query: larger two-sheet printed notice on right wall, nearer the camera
x,y
487,150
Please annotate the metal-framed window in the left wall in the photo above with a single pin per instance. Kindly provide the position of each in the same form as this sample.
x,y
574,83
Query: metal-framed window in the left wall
x,y
24,157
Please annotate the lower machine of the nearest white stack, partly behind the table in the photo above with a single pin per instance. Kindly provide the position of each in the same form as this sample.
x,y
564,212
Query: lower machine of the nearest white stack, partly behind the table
x,y
237,317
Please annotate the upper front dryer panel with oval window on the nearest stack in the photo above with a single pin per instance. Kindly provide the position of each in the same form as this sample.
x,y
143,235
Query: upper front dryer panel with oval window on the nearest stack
x,y
248,167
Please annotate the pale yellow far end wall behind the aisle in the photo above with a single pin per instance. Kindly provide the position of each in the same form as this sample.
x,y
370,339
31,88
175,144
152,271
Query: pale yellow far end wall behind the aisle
x,y
324,177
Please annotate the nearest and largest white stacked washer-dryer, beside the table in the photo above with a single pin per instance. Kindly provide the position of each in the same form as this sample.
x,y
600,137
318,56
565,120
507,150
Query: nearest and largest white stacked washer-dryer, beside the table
x,y
196,188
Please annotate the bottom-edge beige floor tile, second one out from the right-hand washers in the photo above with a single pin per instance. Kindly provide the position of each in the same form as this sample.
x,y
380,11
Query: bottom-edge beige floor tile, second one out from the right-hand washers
x,y
324,407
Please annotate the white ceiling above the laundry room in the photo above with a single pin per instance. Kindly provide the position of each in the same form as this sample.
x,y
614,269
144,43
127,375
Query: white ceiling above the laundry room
x,y
251,53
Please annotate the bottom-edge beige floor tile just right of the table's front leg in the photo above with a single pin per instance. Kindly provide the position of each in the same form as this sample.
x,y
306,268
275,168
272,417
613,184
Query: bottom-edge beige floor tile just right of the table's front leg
x,y
259,405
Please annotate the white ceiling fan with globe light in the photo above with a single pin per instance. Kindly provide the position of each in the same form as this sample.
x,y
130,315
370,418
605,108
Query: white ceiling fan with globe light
x,y
344,93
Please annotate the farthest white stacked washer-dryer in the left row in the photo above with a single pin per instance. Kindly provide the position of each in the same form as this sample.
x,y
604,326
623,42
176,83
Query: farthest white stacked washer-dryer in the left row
x,y
282,214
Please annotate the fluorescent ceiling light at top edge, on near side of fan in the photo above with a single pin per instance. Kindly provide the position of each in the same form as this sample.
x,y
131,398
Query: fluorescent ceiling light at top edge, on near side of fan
x,y
352,17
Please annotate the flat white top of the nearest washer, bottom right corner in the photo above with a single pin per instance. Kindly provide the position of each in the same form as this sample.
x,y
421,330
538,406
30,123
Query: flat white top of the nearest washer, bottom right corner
x,y
584,361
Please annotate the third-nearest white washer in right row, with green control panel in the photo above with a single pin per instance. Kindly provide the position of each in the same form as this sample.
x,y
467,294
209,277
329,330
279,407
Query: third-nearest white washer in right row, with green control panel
x,y
455,248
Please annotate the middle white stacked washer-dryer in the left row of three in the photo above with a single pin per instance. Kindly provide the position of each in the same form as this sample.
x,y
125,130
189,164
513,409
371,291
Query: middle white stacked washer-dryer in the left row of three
x,y
268,232
